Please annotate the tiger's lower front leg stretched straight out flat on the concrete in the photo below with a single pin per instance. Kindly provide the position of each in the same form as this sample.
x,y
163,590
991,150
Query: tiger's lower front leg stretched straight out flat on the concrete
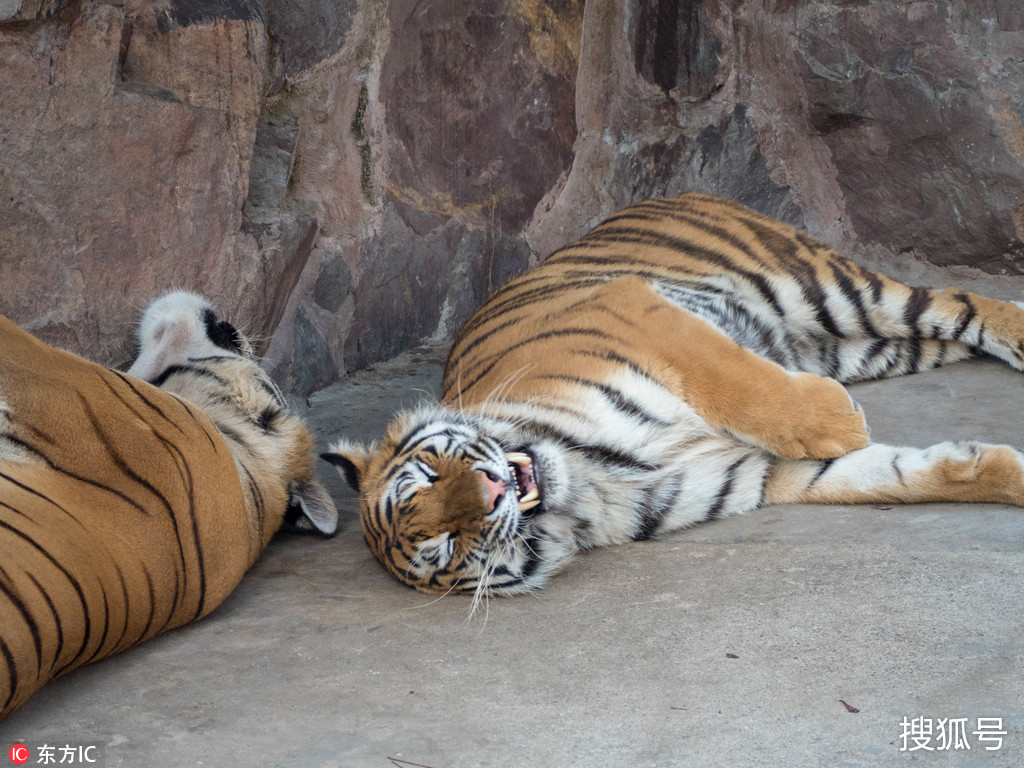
x,y
959,472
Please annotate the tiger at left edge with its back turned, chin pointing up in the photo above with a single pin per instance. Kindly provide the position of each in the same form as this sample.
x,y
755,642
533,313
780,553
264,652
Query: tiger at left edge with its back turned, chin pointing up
x,y
126,509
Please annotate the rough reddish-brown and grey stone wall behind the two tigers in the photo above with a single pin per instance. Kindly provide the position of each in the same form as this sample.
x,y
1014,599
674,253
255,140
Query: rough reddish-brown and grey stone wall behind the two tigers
x,y
357,177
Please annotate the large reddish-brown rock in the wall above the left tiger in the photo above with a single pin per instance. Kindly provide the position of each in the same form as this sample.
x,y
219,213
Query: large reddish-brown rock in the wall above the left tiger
x,y
127,146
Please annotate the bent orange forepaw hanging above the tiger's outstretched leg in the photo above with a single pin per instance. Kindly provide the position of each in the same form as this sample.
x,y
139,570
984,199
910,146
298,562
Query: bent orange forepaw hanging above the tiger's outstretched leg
x,y
827,423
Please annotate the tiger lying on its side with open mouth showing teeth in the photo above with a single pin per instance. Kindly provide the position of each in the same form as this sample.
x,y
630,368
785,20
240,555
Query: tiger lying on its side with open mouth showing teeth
x,y
679,364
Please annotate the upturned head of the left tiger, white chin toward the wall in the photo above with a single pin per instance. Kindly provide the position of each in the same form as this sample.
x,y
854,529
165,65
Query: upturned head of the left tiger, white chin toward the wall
x,y
188,351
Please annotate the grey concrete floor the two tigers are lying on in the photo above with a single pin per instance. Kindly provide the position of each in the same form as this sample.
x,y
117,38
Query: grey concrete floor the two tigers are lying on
x,y
733,645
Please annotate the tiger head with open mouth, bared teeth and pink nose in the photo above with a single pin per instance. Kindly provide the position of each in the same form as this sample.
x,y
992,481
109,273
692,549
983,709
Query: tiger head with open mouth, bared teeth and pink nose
x,y
449,502
